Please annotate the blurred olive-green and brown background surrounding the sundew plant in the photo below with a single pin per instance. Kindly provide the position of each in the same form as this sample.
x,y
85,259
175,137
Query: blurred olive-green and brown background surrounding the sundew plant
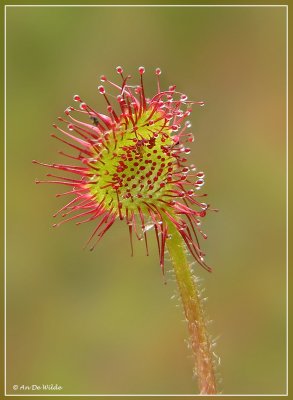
x,y
103,321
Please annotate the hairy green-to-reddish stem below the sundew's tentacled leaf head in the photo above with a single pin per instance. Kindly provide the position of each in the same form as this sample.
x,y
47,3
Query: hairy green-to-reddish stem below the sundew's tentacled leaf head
x,y
193,311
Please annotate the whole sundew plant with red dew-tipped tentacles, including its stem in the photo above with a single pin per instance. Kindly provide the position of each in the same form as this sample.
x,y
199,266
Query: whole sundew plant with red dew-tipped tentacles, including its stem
x,y
133,165
